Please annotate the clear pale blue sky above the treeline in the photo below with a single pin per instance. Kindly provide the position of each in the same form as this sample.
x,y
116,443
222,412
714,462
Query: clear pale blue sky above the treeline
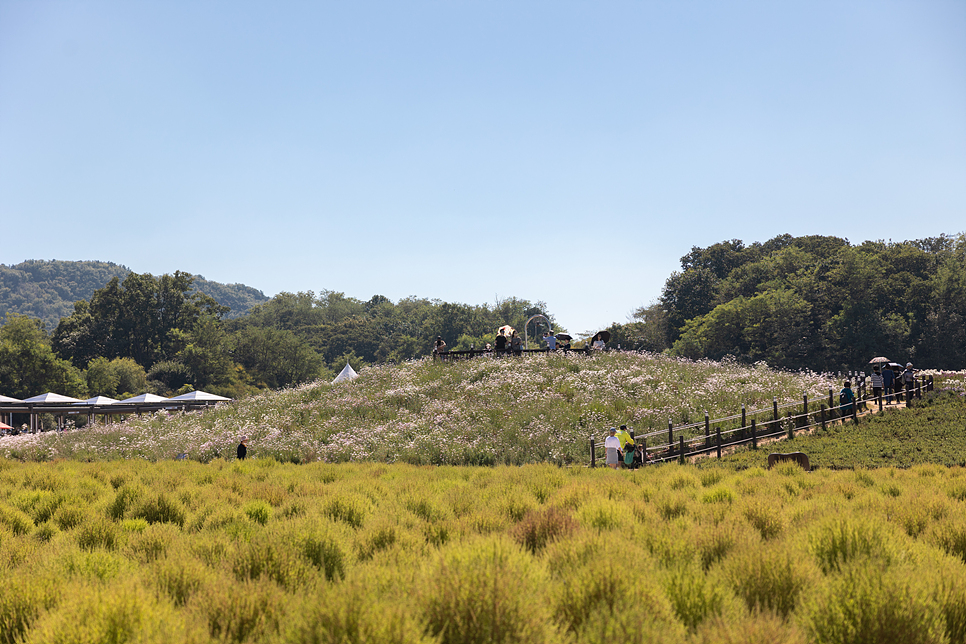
x,y
569,152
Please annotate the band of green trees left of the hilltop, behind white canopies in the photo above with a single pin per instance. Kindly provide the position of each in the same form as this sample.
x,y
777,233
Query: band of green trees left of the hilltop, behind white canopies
x,y
160,334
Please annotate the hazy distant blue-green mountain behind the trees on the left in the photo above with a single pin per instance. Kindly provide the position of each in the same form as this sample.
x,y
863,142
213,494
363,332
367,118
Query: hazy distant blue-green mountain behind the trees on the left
x,y
47,289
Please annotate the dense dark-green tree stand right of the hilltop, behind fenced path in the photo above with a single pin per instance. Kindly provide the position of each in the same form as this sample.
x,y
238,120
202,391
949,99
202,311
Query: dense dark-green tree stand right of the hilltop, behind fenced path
x,y
812,302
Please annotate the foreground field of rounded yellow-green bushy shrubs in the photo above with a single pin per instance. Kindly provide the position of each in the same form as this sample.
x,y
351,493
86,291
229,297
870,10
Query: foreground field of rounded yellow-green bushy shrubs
x,y
262,551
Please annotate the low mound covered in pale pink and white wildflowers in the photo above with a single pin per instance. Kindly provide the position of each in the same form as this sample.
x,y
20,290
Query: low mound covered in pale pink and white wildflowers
x,y
540,408
